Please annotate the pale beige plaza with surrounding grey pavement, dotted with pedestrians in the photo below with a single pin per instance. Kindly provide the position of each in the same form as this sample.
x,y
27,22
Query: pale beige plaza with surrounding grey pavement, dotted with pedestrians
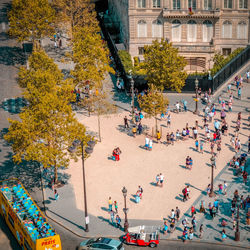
x,y
138,166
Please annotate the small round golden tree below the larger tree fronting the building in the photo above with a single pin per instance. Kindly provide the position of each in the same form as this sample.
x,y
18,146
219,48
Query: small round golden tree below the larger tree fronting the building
x,y
154,103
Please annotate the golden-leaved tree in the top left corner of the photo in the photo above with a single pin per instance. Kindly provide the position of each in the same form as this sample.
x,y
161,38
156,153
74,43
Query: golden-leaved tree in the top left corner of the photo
x,y
31,19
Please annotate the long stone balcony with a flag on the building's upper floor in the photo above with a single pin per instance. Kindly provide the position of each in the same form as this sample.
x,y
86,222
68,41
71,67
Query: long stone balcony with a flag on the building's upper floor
x,y
184,13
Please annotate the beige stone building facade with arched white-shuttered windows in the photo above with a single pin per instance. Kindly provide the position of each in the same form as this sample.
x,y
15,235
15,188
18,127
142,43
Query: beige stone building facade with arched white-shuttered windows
x,y
197,27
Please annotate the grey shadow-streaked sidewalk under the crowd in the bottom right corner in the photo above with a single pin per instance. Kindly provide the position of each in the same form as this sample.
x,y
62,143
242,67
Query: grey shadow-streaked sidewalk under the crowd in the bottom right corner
x,y
212,227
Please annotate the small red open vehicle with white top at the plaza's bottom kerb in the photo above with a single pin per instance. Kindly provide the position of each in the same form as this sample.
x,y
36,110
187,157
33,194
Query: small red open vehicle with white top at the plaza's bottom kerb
x,y
142,236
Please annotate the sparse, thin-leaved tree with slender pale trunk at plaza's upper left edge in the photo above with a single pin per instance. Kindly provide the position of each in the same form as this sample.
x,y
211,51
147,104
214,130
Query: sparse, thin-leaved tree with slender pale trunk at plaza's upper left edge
x,y
99,103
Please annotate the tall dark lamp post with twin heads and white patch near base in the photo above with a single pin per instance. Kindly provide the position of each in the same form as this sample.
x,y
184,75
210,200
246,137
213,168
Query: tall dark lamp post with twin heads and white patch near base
x,y
88,150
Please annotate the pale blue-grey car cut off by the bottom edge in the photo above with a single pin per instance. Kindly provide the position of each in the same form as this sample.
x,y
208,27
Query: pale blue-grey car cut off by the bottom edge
x,y
101,243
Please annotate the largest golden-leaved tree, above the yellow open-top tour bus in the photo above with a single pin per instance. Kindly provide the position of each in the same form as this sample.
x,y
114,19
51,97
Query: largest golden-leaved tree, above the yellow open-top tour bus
x,y
47,126
